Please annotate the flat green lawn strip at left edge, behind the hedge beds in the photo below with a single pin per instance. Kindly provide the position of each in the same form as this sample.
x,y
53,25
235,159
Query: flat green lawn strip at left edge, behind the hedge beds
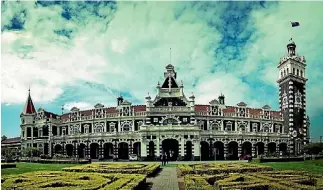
x,y
29,167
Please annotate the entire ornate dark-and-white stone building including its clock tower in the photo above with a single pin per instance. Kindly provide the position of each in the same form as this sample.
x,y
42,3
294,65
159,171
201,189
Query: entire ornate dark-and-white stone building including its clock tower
x,y
173,122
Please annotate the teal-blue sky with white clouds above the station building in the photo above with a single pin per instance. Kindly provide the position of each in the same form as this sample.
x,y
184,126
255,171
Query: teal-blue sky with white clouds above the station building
x,y
83,53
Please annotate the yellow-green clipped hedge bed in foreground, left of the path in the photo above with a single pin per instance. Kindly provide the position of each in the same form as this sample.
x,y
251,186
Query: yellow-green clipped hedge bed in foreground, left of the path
x,y
68,180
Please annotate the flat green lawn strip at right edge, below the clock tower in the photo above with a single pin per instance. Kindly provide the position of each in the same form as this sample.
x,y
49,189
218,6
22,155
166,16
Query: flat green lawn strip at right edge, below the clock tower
x,y
312,166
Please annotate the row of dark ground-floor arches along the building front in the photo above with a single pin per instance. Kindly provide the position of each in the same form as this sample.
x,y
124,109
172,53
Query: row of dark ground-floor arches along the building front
x,y
188,151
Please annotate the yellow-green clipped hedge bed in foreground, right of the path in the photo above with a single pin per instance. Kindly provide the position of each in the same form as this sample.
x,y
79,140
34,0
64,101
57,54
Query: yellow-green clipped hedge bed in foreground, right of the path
x,y
285,180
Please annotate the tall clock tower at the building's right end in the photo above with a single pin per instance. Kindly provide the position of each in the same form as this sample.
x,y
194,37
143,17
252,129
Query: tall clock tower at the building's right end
x,y
292,97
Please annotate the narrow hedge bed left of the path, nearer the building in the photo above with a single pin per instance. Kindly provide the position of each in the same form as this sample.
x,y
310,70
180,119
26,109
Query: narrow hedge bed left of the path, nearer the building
x,y
147,169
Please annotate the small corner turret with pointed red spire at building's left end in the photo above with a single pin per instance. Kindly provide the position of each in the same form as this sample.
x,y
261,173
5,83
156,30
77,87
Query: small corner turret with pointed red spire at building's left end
x,y
27,117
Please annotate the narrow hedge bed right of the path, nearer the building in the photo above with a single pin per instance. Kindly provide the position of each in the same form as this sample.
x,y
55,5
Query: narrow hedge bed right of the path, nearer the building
x,y
211,169
